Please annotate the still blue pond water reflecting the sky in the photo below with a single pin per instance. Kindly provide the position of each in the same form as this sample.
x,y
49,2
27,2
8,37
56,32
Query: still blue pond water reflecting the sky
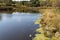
x,y
17,26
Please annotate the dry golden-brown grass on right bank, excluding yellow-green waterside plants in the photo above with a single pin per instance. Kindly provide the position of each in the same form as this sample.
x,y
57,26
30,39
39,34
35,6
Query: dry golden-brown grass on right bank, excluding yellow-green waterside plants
x,y
50,24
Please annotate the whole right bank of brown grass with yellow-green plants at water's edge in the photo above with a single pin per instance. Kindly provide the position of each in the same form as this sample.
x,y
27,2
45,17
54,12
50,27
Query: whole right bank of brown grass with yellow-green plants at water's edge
x,y
49,25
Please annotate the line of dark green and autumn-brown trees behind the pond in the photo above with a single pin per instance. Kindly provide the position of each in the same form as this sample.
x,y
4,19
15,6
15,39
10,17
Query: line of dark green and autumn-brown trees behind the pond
x,y
35,3
